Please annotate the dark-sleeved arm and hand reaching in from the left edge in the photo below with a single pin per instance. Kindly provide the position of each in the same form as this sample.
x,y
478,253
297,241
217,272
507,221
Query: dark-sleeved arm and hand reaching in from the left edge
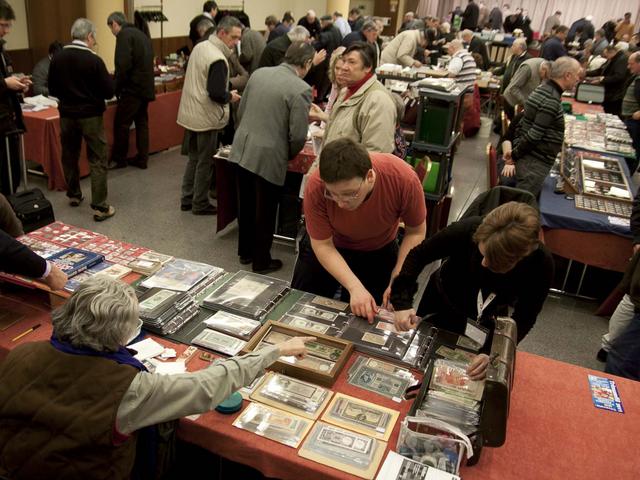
x,y
18,259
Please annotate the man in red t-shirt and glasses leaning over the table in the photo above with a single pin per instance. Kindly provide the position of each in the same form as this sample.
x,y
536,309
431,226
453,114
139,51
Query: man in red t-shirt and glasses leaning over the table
x,y
353,205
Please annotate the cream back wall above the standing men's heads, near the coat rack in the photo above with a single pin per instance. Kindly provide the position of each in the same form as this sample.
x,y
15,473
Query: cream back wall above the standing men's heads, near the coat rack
x,y
180,12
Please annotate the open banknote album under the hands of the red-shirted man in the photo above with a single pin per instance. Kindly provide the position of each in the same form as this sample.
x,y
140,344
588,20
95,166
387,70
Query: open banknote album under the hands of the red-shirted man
x,y
333,317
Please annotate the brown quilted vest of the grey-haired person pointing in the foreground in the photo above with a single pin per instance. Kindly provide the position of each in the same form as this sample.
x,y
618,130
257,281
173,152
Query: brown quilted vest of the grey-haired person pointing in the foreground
x,y
57,415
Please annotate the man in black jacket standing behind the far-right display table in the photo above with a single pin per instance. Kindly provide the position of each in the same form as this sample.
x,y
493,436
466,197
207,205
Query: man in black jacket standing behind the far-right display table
x,y
613,76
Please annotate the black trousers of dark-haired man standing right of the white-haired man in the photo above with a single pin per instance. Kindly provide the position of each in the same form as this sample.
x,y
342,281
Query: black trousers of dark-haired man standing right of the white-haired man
x,y
130,109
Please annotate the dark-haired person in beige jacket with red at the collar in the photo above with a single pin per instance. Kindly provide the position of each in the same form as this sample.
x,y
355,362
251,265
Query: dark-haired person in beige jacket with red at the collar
x,y
364,111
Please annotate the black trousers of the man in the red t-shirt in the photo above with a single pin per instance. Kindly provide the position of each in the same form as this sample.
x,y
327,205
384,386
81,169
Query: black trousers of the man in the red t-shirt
x,y
372,268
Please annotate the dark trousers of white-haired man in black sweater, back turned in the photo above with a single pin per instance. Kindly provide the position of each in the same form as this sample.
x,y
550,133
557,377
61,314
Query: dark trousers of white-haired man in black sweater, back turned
x,y
72,131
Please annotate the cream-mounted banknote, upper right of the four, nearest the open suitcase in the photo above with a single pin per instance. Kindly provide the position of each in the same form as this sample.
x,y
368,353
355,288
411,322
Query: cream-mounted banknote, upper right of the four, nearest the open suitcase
x,y
360,416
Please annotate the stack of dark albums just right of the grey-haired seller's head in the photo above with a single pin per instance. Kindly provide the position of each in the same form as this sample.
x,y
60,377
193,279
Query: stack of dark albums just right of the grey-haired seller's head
x,y
165,311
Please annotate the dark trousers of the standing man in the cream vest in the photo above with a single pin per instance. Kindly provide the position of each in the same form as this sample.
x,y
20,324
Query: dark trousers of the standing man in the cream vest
x,y
200,147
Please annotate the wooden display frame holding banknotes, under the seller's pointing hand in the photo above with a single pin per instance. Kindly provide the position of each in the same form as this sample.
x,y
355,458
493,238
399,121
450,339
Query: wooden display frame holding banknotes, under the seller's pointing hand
x,y
304,369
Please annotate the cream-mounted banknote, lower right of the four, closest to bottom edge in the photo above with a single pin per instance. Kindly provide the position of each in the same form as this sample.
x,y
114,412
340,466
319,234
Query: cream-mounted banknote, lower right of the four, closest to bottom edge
x,y
343,449
